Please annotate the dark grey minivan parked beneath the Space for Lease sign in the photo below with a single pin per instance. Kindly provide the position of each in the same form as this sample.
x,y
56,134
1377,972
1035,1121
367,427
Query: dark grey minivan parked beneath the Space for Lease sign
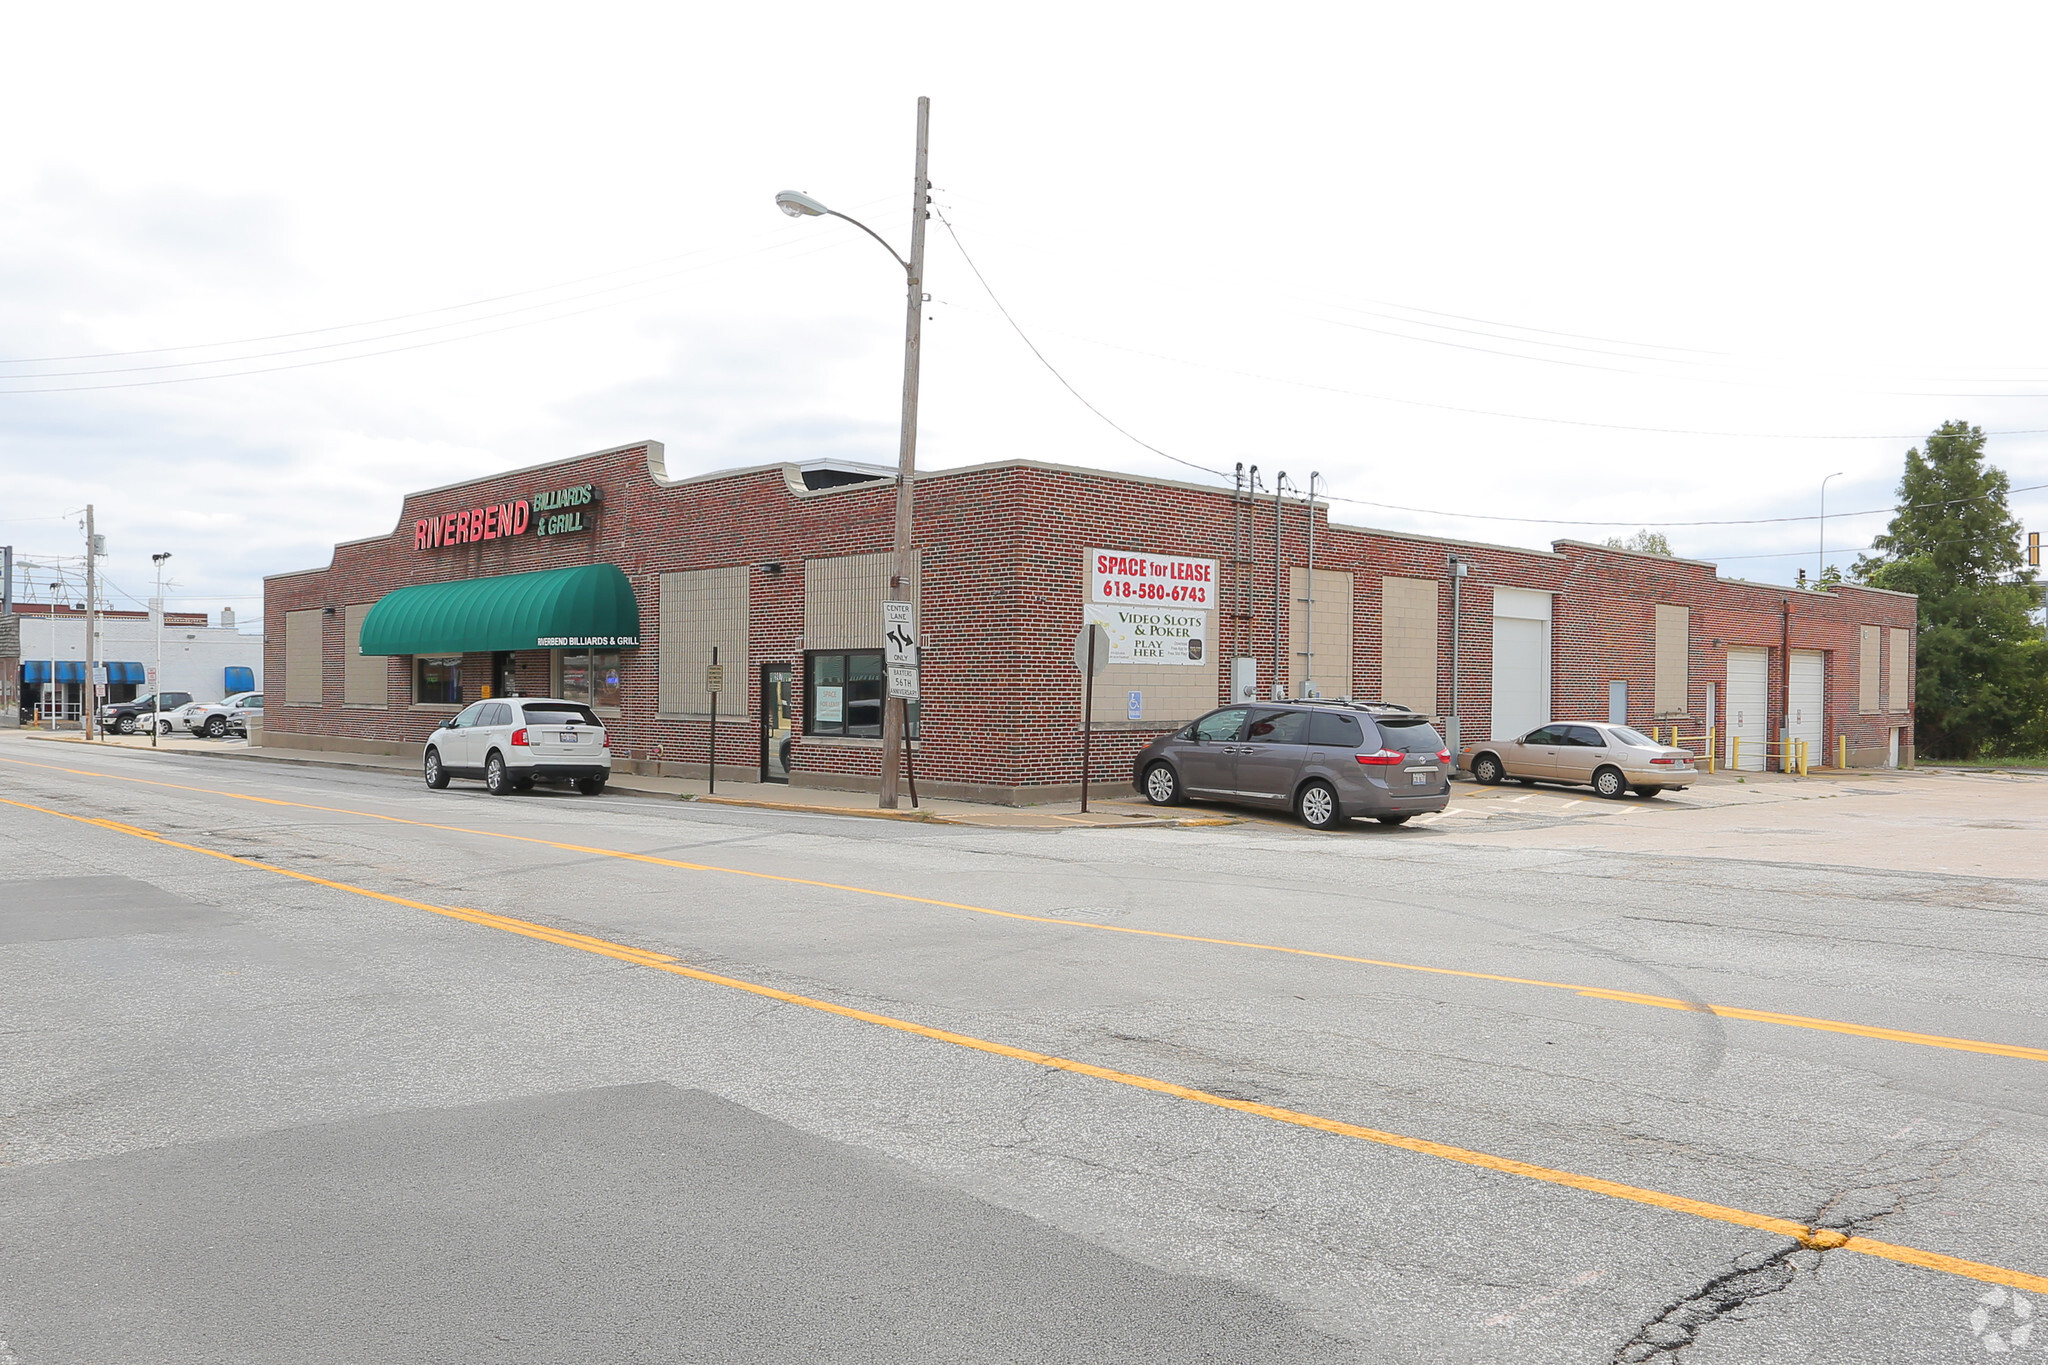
x,y
1324,760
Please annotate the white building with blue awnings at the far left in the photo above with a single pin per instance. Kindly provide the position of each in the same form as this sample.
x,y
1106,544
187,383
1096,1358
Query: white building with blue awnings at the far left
x,y
206,660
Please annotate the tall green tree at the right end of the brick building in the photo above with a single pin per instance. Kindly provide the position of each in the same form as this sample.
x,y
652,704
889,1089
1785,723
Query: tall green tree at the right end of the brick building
x,y
1983,674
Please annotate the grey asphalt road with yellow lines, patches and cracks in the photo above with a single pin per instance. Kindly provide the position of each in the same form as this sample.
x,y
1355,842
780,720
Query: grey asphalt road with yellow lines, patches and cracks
x,y
325,1067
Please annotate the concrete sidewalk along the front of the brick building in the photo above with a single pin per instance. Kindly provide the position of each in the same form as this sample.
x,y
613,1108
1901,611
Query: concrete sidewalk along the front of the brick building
x,y
1115,805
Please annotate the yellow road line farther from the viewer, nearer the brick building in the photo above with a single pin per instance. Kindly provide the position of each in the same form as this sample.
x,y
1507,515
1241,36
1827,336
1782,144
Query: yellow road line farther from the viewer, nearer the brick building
x,y
1596,994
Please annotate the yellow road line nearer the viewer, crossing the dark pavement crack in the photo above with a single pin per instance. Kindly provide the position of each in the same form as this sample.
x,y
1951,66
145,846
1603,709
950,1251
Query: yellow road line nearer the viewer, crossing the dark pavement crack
x,y
1820,1239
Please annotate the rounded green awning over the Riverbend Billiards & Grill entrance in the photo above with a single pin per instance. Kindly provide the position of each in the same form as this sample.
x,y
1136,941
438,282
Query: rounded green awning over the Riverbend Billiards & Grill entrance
x,y
589,607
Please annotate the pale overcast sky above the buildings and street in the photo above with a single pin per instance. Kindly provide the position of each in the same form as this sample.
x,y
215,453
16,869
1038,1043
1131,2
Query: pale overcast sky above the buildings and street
x,y
1601,265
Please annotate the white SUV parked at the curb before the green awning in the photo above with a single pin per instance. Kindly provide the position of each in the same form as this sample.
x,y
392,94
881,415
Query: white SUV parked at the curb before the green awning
x,y
519,740
